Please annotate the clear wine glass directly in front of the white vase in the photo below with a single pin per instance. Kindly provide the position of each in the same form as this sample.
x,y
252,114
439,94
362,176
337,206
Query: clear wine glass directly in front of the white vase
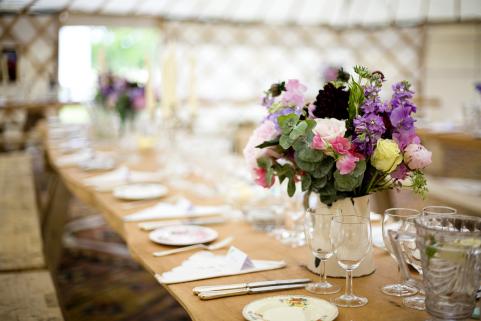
x,y
317,226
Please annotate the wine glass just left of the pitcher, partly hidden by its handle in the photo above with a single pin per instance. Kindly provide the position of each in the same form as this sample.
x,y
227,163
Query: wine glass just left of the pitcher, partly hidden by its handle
x,y
395,219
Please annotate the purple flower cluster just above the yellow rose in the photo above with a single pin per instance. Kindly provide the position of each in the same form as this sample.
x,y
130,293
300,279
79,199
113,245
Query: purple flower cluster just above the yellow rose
x,y
368,129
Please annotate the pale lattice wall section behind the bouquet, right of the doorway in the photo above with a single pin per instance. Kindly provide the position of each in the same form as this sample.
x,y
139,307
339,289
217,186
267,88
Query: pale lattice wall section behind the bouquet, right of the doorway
x,y
237,61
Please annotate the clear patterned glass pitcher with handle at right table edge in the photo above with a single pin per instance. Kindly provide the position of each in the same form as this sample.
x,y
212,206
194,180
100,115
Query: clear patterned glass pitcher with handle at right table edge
x,y
450,251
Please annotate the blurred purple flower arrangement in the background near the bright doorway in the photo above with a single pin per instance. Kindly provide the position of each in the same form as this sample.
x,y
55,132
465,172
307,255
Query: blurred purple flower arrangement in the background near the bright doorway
x,y
120,95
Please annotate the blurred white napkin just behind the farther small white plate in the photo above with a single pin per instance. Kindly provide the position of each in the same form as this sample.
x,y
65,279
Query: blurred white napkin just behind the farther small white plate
x,y
122,175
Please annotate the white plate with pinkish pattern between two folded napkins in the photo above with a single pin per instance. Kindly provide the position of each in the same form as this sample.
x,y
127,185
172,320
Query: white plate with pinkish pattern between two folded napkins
x,y
180,235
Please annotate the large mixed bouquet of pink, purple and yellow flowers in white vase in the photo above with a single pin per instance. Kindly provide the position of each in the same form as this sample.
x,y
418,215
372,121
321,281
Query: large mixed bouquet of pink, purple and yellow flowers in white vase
x,y
347,143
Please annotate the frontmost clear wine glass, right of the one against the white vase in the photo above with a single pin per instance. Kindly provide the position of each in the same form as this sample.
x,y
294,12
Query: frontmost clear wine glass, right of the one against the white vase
x,y
351,241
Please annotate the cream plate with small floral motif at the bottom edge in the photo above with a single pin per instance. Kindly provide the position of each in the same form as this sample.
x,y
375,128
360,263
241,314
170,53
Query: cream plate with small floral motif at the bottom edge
x,y
290,307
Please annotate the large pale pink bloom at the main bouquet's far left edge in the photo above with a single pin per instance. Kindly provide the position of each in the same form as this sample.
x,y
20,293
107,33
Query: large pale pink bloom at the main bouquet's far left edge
x,y
266,131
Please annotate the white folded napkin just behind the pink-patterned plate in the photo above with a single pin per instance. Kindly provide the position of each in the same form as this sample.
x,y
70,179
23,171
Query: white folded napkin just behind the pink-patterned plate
x,y
183,208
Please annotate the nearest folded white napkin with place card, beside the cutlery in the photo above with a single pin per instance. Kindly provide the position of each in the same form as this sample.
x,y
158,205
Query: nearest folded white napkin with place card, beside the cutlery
x,y
206,265
